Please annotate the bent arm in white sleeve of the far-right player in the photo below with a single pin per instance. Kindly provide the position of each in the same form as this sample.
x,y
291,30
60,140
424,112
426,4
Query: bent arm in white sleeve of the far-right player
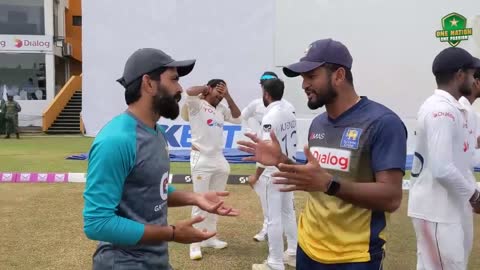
x,y
440,130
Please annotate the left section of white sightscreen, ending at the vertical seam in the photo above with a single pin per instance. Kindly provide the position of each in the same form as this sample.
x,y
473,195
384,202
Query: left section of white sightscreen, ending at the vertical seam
x,y
232,40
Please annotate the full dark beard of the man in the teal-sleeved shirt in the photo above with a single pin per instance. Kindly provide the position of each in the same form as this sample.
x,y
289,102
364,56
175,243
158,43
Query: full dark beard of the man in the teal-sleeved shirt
x,y
165,104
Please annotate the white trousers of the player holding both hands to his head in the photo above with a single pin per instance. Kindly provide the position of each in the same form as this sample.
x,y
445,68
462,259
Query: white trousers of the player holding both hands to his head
x,y
209,173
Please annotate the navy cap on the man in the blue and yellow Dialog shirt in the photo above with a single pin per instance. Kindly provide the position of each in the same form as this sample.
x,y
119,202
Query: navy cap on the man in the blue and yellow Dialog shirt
x,y
318,54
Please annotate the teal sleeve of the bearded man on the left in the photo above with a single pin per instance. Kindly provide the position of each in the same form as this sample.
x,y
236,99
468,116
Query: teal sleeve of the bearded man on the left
x,y
110,161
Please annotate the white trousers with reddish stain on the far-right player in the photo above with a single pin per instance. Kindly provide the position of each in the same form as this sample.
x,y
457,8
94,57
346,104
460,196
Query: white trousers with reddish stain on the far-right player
x,y
444,246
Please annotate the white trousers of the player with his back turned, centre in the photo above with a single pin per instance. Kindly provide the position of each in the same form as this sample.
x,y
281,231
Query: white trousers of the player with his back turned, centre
x,y
281,218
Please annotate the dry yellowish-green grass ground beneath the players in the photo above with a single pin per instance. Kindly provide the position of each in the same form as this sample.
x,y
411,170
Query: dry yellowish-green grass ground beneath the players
x,y
42,223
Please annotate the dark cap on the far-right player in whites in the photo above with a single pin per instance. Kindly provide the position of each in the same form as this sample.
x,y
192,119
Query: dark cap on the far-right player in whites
x,y
453,59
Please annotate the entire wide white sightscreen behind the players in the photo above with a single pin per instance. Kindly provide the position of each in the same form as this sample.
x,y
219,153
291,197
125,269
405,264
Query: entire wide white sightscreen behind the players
x,y
393,44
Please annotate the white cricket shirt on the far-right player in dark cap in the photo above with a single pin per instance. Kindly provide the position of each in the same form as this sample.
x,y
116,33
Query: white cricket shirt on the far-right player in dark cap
x,y
441,182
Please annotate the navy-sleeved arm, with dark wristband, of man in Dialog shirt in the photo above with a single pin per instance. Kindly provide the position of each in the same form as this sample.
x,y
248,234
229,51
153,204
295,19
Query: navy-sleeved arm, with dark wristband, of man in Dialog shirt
x,y
388,154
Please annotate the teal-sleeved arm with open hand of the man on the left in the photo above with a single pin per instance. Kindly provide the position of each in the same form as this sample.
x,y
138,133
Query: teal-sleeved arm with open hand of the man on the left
x,y
109,164
